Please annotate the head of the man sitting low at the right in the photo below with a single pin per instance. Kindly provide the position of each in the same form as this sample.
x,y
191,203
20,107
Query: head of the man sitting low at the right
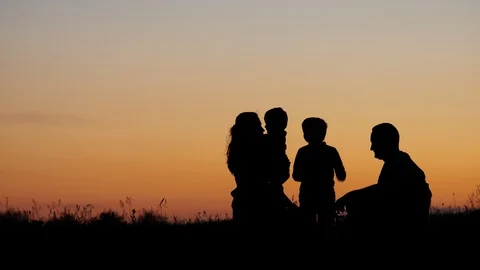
x,y
385,140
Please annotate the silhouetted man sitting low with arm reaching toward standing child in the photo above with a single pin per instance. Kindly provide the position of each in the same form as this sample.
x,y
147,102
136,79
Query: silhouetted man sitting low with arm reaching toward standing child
x,y
401,197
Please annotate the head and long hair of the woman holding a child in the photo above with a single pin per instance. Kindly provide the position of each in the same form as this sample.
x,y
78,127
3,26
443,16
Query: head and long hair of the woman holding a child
x,y
245,135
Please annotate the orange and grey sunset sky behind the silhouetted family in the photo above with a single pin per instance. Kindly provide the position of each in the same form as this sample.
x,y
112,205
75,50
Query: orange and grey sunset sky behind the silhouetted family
x,y
105,99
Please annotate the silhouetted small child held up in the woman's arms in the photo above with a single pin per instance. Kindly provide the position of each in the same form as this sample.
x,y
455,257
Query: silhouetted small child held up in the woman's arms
x,y
276,120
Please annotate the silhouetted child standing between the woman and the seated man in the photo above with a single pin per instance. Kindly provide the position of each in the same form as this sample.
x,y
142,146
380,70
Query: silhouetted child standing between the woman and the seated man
x,y
315,167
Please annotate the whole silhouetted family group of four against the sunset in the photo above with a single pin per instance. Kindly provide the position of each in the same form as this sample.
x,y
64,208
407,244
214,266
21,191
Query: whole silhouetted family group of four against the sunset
x,y
260,166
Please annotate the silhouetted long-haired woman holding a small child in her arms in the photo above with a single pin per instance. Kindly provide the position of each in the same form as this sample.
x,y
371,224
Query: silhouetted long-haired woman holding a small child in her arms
x,y
246,163
